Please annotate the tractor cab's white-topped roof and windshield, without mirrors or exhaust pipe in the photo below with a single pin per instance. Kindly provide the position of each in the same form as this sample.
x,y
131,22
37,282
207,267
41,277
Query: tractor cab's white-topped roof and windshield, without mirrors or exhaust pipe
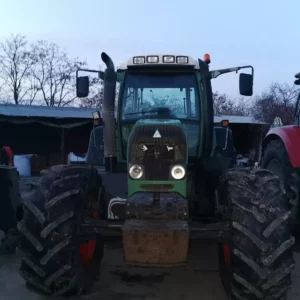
x,y
160,87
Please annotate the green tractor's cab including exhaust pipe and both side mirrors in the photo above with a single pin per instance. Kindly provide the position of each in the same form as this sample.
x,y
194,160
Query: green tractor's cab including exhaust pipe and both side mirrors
x,y
160,87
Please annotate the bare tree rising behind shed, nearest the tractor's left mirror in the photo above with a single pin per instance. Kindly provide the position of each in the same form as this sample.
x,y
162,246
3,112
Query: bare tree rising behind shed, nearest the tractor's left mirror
x,y
54,73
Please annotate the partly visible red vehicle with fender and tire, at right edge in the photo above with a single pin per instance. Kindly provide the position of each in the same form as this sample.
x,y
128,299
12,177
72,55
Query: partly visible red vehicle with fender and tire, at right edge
x,y
281,154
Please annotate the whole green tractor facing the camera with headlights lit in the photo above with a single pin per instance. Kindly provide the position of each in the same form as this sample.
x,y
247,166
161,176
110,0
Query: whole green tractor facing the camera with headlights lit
x,y
169,177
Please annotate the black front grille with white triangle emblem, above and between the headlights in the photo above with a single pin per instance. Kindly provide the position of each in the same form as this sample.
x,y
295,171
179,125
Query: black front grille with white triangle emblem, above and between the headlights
x,y
157,155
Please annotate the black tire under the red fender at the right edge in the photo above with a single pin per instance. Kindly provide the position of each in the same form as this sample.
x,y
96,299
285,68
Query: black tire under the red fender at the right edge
x,y
276,159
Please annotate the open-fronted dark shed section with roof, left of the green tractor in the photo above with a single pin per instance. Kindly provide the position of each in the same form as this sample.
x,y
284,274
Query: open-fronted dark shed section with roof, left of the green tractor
x,y
45,131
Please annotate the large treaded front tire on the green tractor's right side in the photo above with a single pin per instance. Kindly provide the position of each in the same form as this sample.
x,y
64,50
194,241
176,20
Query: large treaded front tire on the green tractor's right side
x,y
260,247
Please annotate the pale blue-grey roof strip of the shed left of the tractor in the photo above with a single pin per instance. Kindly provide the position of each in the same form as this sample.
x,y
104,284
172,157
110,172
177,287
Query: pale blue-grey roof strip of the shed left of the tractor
x,y
12,110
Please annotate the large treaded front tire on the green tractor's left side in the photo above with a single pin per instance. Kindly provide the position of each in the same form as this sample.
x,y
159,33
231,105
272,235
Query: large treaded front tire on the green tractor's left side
x,y
50,238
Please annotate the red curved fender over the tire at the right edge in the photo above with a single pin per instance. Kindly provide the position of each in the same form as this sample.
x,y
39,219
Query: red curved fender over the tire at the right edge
x,y
290,136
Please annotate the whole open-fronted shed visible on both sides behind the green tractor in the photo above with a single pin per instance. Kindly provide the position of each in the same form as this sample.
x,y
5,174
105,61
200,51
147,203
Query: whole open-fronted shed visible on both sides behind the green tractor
x,y
47,130
